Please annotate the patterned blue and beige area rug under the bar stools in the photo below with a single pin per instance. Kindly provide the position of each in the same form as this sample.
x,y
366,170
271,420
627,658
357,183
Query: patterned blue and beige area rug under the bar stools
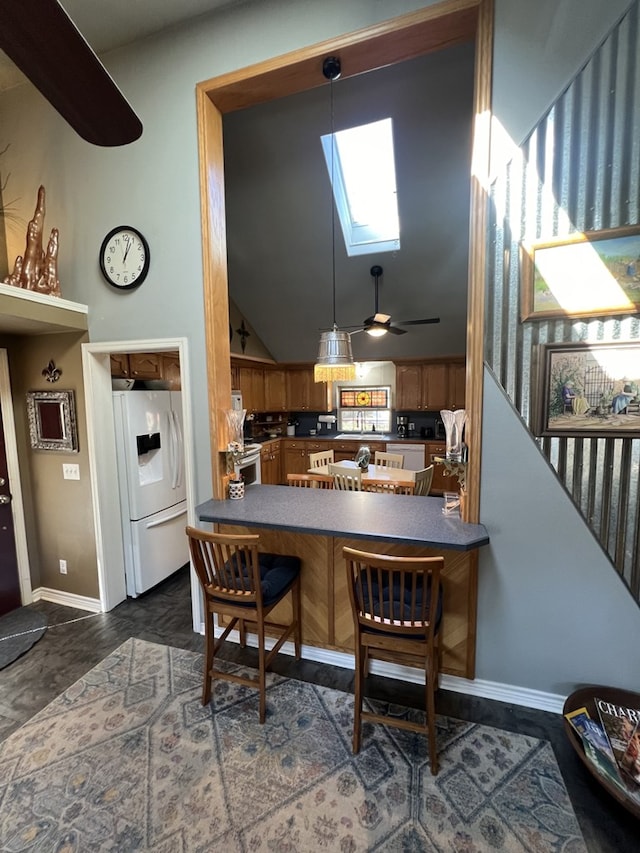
x,y
127,759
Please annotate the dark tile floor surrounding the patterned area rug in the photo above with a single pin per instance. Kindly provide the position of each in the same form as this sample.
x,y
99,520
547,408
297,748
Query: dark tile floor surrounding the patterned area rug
x,y
75,642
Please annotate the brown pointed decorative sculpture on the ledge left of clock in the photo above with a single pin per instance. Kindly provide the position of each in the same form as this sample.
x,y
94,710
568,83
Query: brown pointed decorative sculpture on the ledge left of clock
x,y
37,270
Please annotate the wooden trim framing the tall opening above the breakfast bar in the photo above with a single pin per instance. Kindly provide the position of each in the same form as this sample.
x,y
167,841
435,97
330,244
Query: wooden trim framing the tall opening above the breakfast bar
x,y
433,28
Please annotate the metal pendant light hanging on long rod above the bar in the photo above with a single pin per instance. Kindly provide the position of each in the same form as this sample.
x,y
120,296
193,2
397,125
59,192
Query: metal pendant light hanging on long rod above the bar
x,y
335,359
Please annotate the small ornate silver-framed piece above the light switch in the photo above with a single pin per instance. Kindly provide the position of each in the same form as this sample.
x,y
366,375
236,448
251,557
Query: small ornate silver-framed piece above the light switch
x,y
52,421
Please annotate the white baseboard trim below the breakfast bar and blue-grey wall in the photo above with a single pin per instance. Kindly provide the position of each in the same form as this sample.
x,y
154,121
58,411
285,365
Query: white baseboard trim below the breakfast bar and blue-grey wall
x,y
511,694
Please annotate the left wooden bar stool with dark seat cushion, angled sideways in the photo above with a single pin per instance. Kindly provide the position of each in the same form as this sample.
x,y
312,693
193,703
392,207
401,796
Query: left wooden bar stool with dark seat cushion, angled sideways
x,y
243,585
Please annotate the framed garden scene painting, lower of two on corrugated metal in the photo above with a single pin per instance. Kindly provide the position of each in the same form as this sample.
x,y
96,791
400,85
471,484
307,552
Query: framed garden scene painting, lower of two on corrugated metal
x,y
587,390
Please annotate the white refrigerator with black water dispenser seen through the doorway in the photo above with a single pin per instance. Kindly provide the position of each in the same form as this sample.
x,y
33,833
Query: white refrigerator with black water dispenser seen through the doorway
x,y
150,454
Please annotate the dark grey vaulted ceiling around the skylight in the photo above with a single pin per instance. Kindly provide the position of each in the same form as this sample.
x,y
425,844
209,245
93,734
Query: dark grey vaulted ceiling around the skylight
x,y
278,206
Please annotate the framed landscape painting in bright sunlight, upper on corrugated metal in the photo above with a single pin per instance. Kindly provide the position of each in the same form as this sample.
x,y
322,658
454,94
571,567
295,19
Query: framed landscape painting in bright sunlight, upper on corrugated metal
x,y
587,274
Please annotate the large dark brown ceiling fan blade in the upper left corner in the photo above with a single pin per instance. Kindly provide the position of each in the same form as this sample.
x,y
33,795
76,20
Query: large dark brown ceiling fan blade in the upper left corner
x,y
45,44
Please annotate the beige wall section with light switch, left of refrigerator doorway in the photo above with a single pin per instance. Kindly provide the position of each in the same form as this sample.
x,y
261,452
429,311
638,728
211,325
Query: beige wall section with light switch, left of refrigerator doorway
x,y
59,513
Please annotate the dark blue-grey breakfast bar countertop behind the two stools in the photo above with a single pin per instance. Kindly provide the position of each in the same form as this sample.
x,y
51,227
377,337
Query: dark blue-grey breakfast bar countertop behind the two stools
x,y
404,519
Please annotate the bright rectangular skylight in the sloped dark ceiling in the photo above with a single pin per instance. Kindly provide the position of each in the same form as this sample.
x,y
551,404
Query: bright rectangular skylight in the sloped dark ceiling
x,y
364,187
